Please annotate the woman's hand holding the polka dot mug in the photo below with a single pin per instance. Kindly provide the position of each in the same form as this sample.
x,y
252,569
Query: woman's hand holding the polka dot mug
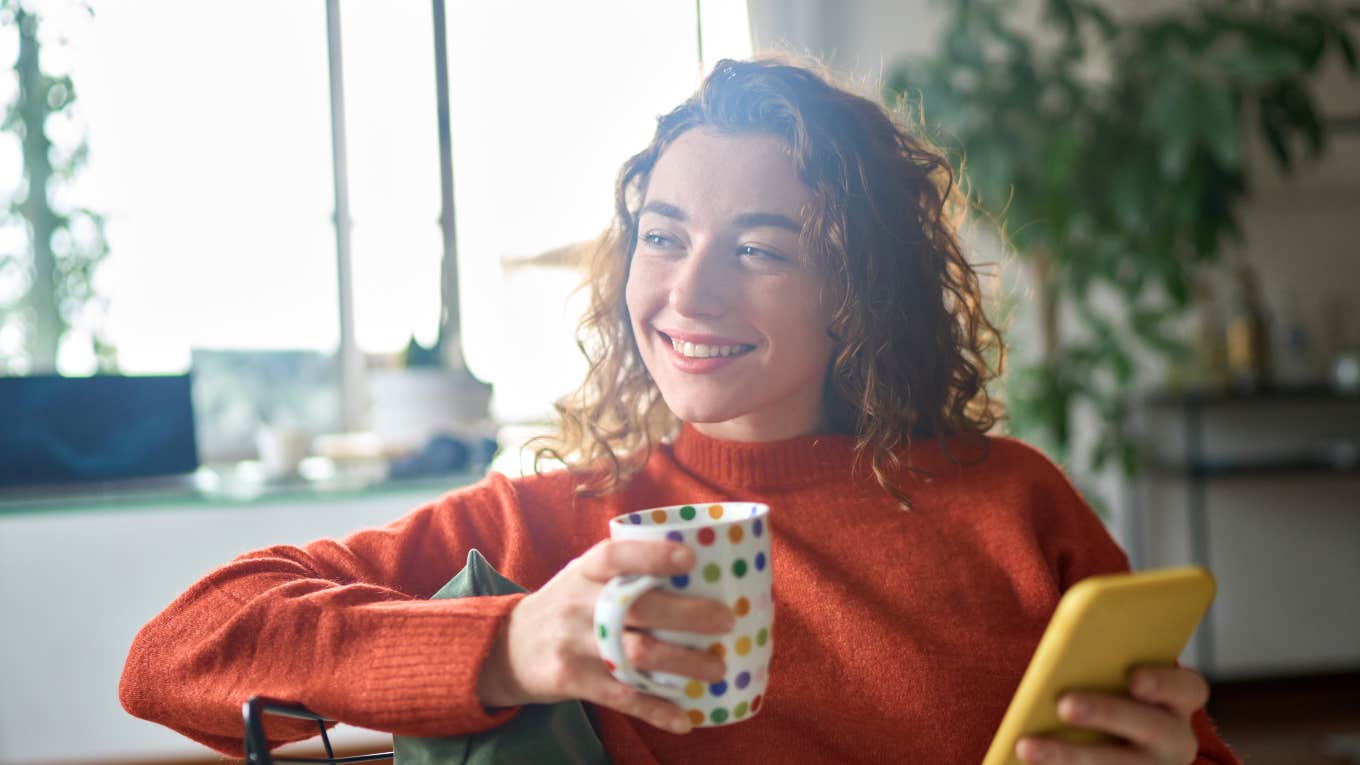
x,y
547,653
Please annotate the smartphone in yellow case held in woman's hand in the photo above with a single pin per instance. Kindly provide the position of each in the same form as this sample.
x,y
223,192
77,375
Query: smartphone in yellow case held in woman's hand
x,y
1104,628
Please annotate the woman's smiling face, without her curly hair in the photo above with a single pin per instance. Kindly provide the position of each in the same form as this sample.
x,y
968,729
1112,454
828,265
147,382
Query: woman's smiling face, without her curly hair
x,y
727,306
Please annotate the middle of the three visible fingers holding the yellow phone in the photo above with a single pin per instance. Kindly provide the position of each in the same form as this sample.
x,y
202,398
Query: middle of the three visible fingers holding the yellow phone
x,y
1143,725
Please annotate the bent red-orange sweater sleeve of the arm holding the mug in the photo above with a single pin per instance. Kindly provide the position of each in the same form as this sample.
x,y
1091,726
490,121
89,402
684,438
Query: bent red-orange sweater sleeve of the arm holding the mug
x,y
342,627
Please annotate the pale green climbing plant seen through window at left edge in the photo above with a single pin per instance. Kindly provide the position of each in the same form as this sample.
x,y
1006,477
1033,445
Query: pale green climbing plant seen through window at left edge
x,y
59,247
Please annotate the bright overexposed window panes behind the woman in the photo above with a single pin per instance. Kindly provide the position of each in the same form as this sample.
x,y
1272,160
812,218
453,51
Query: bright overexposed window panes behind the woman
x,y
210,156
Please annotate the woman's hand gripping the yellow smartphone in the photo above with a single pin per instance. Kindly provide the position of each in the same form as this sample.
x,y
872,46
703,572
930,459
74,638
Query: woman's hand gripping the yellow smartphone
x,y
1154,725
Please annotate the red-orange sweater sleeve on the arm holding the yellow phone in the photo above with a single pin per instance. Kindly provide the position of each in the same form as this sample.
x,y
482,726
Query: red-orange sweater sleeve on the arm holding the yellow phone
x,y
1079,547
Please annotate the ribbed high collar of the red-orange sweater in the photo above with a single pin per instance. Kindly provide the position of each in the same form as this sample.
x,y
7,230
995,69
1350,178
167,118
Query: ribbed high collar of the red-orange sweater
x,y
798,462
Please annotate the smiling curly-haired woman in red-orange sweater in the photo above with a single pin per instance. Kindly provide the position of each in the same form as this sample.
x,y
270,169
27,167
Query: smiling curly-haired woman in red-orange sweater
x,y
781,314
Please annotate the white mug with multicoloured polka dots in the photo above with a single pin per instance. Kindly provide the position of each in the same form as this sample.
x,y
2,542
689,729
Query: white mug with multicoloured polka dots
x,y
732,548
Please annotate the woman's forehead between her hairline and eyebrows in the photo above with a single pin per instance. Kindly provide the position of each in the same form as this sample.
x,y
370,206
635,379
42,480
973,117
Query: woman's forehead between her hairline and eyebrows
x,y
719,175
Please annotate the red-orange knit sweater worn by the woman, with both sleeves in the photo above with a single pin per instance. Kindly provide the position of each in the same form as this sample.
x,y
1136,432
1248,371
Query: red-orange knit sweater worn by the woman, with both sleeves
x,y
900,635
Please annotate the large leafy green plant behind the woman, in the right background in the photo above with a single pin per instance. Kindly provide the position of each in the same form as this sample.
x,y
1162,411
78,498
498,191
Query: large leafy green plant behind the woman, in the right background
x,y
1113,149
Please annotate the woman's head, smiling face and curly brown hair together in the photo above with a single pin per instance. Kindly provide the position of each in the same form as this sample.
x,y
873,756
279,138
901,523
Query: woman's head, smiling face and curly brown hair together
x,y
798,220
